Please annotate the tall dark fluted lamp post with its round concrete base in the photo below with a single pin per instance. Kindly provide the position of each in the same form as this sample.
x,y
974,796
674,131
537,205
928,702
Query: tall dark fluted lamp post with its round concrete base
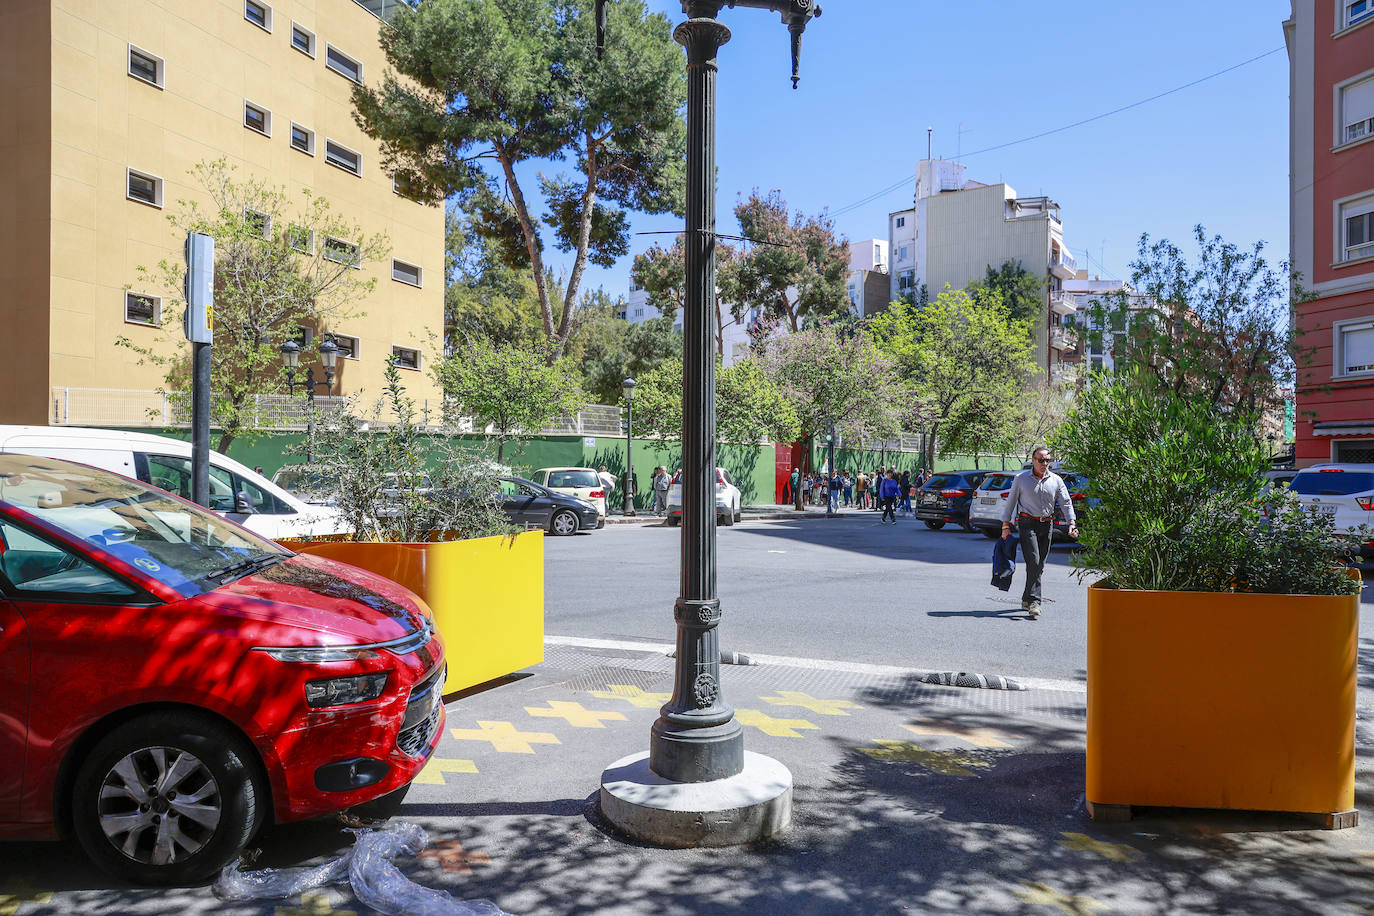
x,y
697,785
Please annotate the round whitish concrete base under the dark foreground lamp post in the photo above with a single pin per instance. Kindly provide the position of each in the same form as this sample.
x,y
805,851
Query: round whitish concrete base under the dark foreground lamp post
x,y
752,805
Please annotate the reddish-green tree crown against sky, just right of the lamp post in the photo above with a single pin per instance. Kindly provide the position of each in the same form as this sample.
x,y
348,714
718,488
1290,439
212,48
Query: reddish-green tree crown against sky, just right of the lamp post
x,y
799,271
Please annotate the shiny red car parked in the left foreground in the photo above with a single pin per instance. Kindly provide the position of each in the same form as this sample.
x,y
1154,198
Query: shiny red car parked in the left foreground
x,y
171,682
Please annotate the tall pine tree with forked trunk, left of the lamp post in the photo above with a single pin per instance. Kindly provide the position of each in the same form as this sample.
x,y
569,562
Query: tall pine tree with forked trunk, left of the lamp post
x,y
512,82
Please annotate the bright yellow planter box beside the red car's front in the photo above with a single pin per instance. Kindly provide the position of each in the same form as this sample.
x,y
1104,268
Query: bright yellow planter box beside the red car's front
x,y
487,595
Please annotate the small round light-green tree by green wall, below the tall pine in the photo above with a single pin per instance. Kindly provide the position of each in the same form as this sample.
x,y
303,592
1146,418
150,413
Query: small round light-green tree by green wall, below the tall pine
x,y
508,388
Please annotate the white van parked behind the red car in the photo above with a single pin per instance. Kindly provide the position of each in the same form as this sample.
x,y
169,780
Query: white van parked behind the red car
x,y
167,463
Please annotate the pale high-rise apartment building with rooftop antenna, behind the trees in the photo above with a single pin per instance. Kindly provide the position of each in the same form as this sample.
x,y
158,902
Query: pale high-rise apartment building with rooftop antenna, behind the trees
x,y
958,229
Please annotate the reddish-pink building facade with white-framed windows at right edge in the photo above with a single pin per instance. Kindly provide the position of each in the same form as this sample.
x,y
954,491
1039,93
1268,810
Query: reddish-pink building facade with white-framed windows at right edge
x,y
1331,46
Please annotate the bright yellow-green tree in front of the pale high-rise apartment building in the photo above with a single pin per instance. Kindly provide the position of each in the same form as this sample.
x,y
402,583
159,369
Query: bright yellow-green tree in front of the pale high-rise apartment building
x,y
956,354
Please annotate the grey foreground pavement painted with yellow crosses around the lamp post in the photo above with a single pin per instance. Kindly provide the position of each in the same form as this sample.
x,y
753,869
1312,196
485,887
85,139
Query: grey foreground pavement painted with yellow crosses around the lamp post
x,y
908,799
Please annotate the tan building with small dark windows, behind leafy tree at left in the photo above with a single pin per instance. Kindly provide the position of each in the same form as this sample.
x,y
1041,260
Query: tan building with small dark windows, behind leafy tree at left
x,y
112,104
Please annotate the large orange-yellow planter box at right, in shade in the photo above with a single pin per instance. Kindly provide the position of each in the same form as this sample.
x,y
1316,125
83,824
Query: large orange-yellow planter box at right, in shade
x,y
1222,701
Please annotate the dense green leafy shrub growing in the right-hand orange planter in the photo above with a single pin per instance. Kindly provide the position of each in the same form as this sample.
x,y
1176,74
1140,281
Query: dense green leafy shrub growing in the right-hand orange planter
x,y
1180,503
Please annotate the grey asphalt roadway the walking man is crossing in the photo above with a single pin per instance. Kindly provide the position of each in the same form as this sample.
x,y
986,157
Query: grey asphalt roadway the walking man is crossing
x,y
846,590
